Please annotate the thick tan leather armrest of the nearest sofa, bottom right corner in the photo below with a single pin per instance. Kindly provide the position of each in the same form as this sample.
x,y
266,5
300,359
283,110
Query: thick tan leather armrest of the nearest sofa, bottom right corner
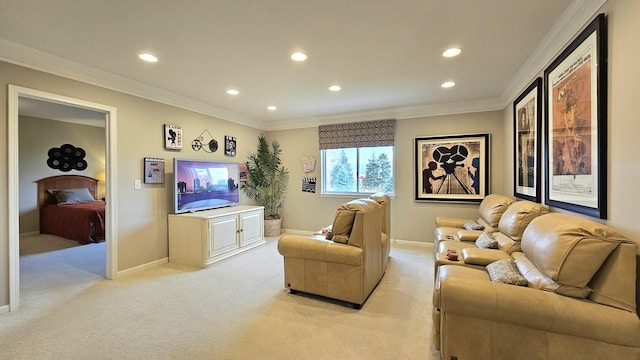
x,y
531,308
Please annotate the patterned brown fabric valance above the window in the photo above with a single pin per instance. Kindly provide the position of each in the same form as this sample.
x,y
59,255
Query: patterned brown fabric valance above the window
x,y
357,134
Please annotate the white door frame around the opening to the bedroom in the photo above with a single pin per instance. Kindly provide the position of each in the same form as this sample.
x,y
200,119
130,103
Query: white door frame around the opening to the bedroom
x,y
17,93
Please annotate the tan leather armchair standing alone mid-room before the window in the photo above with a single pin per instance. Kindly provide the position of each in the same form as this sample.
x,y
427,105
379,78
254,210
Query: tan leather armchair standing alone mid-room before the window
x,y
346,267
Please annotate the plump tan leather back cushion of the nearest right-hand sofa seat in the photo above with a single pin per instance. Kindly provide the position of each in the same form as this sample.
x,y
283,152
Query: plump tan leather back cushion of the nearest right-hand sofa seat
x,y
568,249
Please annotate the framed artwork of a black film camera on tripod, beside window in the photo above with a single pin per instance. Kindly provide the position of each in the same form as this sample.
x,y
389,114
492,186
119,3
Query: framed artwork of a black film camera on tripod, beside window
x,y
452,168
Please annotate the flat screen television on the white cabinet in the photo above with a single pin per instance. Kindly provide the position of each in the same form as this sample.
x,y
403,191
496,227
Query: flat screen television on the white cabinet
x,y
204,185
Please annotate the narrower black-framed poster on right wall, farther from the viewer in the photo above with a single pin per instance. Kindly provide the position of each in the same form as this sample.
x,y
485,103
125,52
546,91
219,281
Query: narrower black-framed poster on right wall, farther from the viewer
x,y
527,142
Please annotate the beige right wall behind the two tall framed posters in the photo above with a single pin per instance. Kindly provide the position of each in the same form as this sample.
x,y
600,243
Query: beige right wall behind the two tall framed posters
x,y
623,155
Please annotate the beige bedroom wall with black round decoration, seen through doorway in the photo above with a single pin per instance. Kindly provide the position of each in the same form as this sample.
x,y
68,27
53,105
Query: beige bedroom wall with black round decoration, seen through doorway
x,y
36,137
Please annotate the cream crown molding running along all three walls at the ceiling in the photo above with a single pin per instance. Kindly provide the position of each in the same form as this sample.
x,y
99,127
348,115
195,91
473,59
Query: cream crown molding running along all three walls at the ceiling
x,y
570,22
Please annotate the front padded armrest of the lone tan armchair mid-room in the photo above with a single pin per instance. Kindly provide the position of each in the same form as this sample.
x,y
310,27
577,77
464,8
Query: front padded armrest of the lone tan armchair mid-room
x,y
302,247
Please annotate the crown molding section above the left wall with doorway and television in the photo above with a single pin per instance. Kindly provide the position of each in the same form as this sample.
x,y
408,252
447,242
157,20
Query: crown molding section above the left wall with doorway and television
x,y
42,61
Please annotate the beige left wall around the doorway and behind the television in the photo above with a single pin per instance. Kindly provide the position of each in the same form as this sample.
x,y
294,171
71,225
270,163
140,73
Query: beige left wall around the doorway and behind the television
x,y
142,214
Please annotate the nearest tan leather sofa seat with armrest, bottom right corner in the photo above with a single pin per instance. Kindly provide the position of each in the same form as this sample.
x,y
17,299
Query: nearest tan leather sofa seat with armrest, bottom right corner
x,y
580,301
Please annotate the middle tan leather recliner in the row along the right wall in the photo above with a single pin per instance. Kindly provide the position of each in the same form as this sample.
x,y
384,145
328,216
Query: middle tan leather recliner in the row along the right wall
x,y
507,238
